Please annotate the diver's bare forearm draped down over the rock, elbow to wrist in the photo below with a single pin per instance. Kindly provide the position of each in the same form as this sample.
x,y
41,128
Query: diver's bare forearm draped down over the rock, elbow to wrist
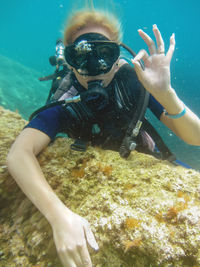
x,y
26,171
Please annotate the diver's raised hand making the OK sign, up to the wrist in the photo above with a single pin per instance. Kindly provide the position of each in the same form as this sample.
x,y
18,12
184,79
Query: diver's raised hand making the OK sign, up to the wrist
x,y
156,75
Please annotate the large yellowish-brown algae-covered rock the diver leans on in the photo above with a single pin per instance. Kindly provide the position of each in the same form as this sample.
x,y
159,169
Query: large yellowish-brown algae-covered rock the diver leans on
x,y
143,211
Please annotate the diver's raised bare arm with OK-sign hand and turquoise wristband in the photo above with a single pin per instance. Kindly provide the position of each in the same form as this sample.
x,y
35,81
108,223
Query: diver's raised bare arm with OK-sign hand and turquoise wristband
x,y
156,79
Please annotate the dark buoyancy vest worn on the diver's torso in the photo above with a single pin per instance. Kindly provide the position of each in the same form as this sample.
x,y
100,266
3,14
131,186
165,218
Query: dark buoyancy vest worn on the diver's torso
x,y
107,128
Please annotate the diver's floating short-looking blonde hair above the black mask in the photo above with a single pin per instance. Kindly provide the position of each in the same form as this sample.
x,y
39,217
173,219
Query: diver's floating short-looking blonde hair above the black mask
x,y
91,17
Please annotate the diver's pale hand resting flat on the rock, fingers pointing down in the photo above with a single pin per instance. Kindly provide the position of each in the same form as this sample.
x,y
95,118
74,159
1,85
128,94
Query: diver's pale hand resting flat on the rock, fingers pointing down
x,y
71,234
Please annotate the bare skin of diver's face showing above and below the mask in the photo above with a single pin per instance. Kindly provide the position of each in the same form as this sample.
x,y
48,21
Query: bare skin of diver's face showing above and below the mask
x,y
106,78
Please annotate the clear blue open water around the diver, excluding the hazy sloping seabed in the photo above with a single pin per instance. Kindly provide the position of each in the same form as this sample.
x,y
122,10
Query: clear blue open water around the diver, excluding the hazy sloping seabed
x,y
29,29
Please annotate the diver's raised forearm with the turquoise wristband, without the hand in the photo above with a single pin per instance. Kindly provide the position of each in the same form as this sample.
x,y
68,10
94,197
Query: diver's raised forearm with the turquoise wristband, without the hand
x,y
186,127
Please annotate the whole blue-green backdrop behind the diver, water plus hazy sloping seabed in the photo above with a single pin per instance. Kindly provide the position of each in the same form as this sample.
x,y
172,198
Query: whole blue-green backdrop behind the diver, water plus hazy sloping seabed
x,y
30,28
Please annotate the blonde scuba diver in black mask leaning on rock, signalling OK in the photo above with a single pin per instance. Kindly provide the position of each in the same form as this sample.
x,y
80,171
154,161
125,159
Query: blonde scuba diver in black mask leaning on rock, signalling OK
x,y
96,102
